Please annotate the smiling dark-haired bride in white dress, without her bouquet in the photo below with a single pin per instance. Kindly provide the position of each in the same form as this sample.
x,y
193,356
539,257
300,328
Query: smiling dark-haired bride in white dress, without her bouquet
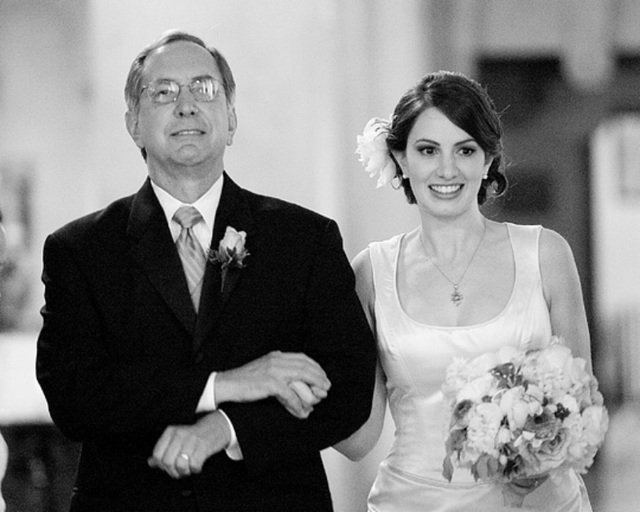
x,y
457,285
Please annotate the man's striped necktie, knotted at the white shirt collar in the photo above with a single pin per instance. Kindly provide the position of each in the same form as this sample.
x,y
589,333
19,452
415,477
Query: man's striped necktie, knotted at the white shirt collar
x,y
190,251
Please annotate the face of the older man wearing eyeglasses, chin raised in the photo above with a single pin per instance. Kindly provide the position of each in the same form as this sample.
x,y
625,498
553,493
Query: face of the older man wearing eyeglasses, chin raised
x,y
187,135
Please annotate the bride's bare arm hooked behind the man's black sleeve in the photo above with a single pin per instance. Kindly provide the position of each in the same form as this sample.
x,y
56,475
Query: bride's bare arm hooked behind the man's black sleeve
x,y
363,440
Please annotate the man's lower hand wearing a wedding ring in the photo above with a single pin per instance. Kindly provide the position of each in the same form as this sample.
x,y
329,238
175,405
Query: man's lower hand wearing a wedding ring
x,y
182,450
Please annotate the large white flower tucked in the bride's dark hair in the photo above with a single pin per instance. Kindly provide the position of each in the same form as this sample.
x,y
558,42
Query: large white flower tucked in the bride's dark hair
x,y
374,153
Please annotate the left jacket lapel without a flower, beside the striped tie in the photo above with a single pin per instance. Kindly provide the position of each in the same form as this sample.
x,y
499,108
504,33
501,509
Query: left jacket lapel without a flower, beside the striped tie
x,y
155,252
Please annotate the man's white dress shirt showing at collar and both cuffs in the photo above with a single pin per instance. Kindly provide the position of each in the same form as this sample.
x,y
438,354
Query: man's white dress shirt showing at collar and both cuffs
x,y
207,205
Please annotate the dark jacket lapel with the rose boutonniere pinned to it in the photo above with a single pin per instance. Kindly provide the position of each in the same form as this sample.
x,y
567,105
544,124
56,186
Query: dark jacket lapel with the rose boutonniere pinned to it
x,y
232,211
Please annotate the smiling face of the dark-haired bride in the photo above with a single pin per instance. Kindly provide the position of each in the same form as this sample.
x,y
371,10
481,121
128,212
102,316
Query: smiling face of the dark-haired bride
x,y
444,164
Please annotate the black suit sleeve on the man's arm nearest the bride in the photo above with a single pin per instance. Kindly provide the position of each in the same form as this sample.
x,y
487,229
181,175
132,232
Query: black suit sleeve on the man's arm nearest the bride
x,y
336,335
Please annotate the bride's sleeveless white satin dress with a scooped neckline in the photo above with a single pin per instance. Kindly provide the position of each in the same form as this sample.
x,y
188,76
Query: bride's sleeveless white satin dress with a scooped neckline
x,y
415,356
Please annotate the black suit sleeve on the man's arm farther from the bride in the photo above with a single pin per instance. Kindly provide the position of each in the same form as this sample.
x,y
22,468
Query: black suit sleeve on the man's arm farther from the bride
x,y
91,391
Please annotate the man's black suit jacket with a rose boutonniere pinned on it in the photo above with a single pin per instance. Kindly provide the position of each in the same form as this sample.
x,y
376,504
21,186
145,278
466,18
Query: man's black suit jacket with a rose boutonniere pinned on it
x,y
122,354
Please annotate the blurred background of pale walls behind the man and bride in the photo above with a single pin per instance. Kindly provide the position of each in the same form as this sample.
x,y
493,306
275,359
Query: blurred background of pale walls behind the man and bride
x,y
310,73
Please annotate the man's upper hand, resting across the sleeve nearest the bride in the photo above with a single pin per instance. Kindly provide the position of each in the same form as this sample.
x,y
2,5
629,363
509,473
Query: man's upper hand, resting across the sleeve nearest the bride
x,y
297,381
